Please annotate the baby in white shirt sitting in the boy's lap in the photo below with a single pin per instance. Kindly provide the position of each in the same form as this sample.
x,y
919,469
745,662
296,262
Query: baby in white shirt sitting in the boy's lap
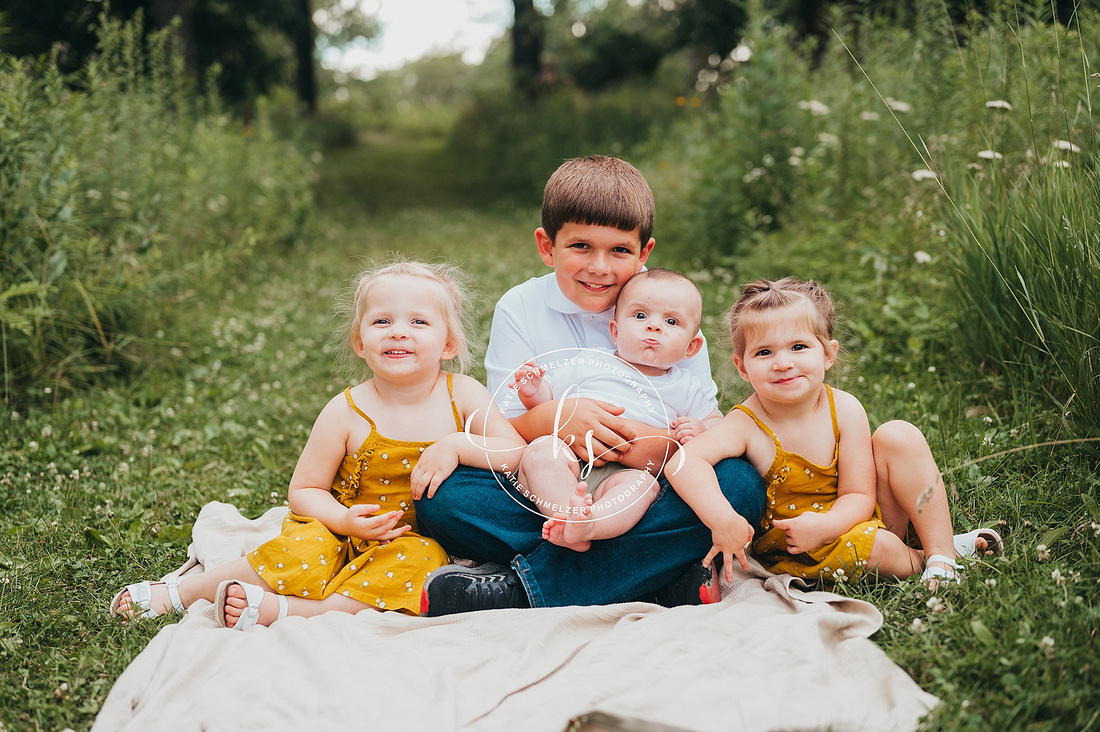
x,y
656,326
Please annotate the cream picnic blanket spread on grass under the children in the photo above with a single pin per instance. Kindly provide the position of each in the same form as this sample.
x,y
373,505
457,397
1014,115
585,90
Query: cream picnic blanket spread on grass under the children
x,y
771,657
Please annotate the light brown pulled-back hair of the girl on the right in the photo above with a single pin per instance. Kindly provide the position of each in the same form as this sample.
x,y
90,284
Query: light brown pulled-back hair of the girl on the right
x,y
762,297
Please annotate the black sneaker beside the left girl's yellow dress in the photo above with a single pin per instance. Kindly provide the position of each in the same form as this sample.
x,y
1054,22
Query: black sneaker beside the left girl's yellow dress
x,y
455,589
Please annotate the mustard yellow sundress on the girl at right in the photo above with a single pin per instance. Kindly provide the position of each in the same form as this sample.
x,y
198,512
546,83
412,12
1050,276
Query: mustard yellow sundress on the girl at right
x,y
796,486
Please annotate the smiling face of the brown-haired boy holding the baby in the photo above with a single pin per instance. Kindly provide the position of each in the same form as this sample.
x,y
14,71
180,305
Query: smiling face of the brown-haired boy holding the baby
x,y
592,264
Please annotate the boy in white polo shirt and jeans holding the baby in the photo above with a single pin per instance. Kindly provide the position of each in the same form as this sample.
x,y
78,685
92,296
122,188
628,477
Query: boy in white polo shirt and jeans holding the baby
x,y
598,220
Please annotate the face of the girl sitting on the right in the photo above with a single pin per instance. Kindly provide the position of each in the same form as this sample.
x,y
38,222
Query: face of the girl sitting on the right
x,y
784,358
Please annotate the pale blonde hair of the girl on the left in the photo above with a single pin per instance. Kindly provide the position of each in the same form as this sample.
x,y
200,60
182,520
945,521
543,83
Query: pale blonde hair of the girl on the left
x,y
453,297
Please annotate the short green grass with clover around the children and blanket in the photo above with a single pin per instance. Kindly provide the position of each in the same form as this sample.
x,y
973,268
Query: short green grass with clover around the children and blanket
x,y
102,489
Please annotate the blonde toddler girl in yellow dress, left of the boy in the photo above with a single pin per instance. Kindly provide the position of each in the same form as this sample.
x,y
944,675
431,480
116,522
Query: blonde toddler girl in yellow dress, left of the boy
x,y
349,542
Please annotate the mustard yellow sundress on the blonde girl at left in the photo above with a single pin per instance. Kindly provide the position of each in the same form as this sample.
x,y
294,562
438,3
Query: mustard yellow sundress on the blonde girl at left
x,y
309,561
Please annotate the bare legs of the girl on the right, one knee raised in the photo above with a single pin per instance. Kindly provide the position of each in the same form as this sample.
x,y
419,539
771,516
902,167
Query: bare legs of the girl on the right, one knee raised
x,y
910,490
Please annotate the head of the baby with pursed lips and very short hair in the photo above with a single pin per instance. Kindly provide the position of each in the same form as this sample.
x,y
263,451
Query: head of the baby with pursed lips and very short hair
x,y
656,325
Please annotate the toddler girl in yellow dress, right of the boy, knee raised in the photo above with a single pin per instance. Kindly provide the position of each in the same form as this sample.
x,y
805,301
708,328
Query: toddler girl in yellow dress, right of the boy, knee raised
x,y
840,499
